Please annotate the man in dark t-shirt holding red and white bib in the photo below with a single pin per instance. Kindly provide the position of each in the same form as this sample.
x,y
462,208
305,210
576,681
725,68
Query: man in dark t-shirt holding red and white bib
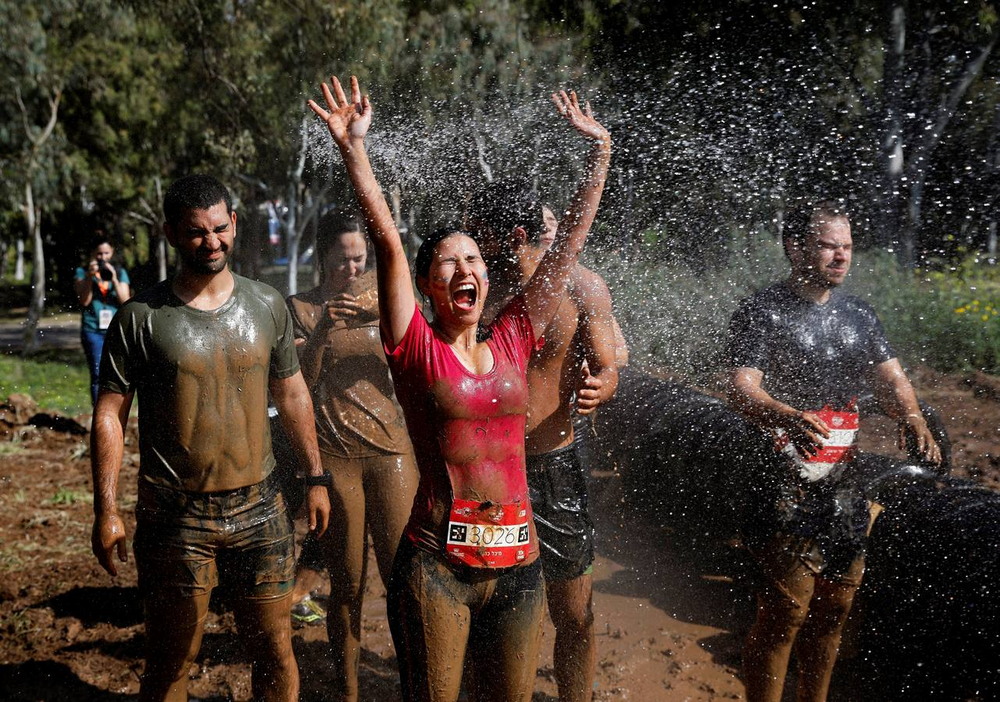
x,y
801,352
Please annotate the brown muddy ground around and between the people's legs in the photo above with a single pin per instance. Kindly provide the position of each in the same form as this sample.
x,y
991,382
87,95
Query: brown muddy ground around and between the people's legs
x,y
669,622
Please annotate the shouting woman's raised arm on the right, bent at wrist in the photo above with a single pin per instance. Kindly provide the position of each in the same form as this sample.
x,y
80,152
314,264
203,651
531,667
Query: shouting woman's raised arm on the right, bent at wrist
x,y
547,286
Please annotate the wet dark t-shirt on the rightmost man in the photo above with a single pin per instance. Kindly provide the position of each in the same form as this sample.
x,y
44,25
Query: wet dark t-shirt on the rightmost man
x,y
811,354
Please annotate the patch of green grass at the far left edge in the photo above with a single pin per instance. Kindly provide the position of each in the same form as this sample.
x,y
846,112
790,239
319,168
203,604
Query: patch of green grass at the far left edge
x,y
57,379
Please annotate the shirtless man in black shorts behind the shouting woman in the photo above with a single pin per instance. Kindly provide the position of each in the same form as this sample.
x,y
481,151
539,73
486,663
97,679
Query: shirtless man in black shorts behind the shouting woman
x,y
578,357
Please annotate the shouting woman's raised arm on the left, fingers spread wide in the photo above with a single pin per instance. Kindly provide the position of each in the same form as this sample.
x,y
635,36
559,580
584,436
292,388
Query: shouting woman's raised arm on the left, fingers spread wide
x,y
348,122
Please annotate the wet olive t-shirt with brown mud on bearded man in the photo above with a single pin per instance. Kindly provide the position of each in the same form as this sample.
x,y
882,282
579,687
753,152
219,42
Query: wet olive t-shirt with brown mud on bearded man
x,y
202,383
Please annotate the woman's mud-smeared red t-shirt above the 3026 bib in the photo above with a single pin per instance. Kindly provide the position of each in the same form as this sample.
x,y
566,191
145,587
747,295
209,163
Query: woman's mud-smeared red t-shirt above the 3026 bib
x,y
467,429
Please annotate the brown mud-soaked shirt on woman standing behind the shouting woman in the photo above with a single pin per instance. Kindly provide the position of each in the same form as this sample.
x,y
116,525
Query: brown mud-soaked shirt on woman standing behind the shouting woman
x,y
356,410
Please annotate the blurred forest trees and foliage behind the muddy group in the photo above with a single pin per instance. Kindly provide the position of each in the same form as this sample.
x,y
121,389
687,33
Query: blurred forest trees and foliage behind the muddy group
x,y
720,112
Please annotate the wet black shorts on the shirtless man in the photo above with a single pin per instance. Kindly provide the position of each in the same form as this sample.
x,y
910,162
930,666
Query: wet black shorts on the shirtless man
x,y
557,487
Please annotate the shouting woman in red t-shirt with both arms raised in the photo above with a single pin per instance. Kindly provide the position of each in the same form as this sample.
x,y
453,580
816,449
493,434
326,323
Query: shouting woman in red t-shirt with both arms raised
x,y
466,586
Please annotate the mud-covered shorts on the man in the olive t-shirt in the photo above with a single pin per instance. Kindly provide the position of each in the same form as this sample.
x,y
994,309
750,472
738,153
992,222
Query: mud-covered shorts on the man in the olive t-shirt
x,y
192,542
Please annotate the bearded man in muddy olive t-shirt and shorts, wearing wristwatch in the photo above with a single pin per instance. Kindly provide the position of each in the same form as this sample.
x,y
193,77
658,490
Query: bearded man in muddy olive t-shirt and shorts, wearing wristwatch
x,y
202,350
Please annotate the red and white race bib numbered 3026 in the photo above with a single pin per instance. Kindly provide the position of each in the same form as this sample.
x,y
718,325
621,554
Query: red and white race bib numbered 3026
x,y
487,535
